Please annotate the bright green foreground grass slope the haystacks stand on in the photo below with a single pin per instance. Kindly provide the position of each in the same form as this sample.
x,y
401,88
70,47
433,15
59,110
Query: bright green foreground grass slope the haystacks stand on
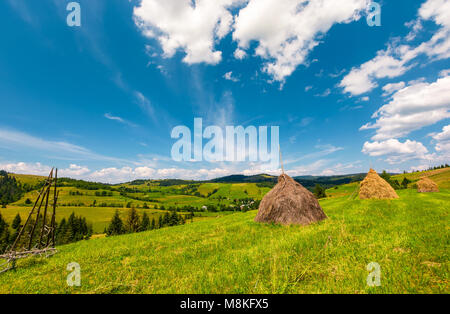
x,y
408,237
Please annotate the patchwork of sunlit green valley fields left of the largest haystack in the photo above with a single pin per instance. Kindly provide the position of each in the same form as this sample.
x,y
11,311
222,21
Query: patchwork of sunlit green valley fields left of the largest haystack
x,y
81,201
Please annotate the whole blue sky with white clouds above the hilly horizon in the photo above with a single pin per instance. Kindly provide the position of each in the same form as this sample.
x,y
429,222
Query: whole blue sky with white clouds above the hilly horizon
x,y
99,101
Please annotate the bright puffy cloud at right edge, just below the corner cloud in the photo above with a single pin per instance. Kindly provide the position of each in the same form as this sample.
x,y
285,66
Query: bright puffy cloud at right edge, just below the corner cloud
x,y
412,108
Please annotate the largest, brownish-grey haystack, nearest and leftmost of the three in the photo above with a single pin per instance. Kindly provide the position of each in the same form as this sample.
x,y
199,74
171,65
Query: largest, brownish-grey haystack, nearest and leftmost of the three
x,y
289,203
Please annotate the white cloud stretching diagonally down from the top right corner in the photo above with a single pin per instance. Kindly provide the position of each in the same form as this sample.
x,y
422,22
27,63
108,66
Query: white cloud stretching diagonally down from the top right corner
x,y
398,58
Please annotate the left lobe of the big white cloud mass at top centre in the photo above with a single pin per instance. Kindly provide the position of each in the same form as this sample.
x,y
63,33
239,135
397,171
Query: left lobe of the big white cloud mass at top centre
x,y
191,26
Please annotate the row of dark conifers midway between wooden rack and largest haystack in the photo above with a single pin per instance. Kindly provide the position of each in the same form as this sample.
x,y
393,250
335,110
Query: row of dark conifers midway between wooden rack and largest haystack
x,y
135,223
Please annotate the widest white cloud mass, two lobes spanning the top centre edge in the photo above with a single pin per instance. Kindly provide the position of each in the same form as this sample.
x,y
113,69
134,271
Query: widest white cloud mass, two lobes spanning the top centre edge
x,y
286,31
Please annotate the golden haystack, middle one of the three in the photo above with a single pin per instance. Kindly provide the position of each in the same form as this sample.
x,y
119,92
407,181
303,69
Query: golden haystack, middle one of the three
x,y
375,187
